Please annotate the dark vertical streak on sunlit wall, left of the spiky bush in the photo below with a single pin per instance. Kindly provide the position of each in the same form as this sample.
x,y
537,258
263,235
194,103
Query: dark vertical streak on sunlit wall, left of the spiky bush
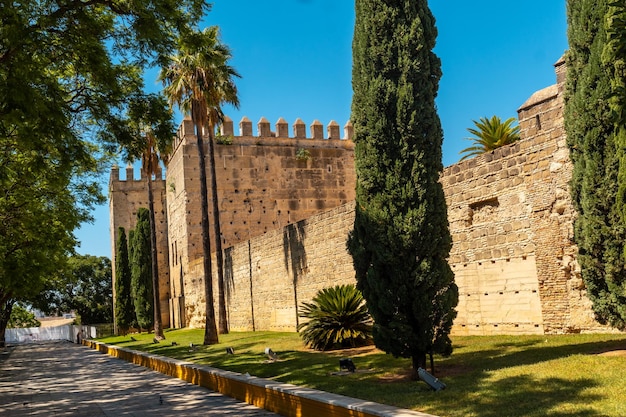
x,y
295,256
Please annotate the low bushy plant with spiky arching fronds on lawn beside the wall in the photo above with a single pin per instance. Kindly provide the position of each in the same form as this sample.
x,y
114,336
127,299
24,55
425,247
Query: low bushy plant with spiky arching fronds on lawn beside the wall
x,y
337,318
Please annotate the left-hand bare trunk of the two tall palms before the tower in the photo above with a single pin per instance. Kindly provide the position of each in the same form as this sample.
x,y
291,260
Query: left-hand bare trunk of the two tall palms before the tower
x,y
210,328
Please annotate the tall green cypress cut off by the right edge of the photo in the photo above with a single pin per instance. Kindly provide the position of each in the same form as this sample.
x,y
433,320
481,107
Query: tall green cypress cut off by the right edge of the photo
x,y
591,130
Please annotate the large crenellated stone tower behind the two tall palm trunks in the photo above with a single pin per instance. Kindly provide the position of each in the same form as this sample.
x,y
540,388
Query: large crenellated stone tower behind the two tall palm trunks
x,y
265,182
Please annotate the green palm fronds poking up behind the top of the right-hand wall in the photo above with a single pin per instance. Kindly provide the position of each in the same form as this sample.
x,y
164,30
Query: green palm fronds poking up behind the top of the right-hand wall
x,y
491,134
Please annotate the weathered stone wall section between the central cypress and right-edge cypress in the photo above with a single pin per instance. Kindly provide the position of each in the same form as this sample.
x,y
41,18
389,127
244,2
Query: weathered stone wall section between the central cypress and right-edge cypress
x,y
511,219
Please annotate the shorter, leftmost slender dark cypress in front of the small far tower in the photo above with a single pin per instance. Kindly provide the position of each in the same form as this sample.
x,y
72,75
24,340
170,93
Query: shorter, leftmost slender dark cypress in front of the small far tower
x,y
124,308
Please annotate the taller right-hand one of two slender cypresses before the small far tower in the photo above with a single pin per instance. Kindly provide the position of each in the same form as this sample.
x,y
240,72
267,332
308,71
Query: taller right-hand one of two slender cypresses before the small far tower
x,y
141,270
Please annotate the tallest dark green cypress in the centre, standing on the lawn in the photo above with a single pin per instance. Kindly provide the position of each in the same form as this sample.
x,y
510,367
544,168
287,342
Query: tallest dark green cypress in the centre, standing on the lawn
x,y
400,241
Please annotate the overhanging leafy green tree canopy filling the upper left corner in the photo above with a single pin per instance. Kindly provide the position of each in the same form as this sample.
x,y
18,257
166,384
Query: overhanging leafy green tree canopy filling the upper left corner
x,y
70,77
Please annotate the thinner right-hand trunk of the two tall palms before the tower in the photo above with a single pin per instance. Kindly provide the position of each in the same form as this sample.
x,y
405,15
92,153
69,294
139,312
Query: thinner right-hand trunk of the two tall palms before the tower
x,y
223,319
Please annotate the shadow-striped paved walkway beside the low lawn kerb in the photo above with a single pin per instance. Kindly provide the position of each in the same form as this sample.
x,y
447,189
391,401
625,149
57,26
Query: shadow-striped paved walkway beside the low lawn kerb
x,y
64,379
